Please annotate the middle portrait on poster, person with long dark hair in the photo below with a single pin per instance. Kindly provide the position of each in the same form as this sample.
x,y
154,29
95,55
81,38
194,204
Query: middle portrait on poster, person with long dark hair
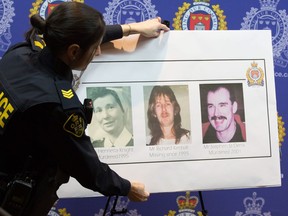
x,y
168,116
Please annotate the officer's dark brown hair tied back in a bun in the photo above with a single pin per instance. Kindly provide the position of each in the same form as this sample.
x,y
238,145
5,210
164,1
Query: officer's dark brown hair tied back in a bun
x,y
69,23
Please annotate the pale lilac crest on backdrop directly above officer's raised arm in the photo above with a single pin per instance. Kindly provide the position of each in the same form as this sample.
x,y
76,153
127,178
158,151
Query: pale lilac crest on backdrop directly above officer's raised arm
x,y
128,11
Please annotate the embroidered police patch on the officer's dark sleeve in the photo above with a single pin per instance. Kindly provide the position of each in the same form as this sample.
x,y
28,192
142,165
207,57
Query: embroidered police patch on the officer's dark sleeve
x,y
74,125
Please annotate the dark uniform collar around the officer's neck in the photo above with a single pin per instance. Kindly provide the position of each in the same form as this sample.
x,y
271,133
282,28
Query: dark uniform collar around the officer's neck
x,y
56,65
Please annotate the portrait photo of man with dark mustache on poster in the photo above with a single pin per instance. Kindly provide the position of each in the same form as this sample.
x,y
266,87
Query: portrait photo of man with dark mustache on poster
x,y
222,102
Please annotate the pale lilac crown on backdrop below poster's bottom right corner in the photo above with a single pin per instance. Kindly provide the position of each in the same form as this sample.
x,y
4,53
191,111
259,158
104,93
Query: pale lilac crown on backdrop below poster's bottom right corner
x,y
253,206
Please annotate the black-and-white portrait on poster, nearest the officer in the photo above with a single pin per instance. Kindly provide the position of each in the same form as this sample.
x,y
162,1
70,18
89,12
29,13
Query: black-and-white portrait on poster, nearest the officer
x,y
111,114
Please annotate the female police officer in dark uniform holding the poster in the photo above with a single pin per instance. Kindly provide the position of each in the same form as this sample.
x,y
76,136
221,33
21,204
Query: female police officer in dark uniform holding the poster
x,y
42,122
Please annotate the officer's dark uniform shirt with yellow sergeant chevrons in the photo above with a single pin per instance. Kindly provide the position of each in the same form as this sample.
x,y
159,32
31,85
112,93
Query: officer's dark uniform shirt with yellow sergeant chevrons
x,y
42,117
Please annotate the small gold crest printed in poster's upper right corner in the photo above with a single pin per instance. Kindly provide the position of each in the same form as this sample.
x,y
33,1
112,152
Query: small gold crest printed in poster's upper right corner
x,y
255,75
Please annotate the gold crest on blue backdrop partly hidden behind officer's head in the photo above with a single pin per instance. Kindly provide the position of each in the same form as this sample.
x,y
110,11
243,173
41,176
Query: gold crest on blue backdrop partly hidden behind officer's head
x,y
43,8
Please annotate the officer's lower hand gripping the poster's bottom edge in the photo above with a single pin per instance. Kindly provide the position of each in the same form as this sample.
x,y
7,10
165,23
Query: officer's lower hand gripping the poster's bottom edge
x,y
137,192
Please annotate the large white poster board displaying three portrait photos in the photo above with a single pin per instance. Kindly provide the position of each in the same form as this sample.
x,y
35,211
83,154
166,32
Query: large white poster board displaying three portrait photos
x,y
188,62
